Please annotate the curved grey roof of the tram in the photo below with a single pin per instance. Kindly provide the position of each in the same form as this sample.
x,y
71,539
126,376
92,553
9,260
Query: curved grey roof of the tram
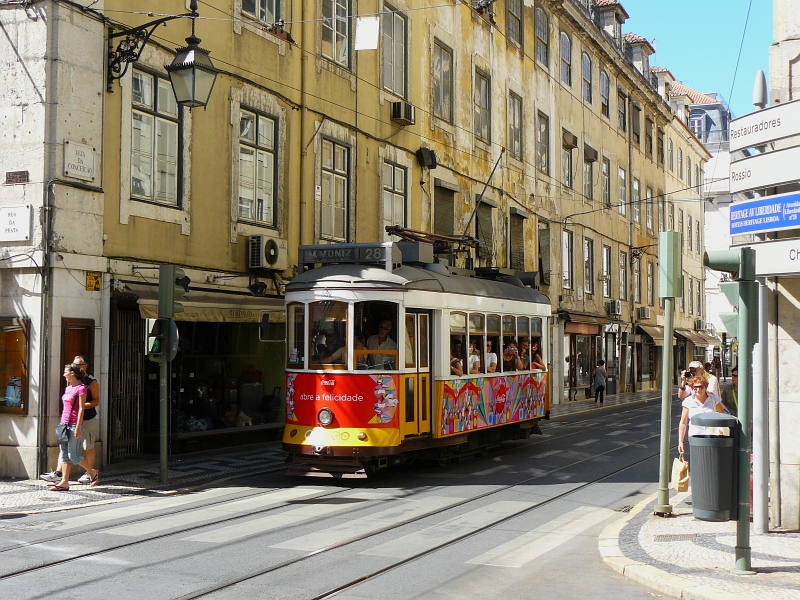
x,y
411,278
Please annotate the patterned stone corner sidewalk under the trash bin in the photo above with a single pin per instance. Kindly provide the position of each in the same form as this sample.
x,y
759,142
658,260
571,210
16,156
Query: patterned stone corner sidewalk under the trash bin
x,y
690,559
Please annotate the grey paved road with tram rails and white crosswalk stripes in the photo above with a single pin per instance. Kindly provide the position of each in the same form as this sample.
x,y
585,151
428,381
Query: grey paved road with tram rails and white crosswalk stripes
x,y
521,523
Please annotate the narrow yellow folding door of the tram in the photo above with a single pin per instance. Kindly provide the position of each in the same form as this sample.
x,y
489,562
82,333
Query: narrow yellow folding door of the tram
x,y
416,416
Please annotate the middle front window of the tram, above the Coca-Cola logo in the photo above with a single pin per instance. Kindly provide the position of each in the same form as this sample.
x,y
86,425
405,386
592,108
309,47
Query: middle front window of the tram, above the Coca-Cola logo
x,y
328,334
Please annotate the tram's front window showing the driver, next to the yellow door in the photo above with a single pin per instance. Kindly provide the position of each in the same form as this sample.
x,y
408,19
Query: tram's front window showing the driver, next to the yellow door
x,y
376,324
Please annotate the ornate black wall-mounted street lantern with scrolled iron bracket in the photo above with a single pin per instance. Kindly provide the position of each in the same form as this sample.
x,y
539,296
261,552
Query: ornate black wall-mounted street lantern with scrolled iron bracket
x,y
191,73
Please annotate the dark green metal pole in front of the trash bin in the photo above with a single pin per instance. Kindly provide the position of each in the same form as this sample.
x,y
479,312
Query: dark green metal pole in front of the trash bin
x,y
748,309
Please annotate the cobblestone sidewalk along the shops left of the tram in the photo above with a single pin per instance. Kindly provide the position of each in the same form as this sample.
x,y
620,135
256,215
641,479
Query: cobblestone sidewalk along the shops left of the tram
x,y
128,481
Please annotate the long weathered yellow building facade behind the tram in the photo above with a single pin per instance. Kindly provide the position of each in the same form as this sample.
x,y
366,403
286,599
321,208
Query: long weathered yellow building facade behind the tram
x,y
535,128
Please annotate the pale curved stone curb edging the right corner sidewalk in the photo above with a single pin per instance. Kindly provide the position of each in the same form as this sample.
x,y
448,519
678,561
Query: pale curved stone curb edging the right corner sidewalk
x,y
649,576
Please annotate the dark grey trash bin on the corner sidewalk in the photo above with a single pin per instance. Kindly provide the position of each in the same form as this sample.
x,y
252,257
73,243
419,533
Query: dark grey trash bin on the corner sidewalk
x,y
712,464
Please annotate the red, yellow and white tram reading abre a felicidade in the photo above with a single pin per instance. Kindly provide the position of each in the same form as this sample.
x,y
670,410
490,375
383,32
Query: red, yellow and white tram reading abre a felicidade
x,y
389,360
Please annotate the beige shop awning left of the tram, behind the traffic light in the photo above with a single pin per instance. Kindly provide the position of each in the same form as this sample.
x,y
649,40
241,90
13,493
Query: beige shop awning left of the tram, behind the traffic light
x,y
209,306
